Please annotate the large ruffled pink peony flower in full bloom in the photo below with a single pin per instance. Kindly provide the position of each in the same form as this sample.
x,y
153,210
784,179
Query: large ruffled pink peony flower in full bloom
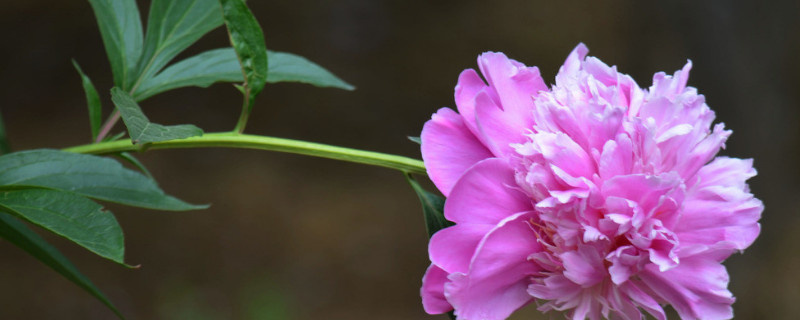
x,y
594,196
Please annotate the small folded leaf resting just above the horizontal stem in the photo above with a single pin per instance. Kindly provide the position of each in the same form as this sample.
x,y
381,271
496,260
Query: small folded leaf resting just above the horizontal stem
x,y
141,129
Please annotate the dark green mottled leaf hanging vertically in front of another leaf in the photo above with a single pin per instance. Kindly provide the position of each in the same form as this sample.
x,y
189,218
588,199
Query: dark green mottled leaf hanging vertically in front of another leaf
x,y
247,40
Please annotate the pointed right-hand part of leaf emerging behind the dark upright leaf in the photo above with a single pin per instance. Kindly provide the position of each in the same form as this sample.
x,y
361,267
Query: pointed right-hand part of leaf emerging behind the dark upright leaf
x,y
287,67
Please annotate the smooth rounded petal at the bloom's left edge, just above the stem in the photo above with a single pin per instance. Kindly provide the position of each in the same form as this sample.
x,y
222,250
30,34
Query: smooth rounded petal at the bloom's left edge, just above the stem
x,y
449,149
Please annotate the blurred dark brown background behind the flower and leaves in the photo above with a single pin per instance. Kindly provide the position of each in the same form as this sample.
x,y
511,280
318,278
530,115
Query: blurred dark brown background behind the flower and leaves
x,y
292,237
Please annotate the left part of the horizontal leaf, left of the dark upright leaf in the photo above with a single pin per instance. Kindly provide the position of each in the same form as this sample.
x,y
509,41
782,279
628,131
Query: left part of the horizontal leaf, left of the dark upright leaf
x,y
201,70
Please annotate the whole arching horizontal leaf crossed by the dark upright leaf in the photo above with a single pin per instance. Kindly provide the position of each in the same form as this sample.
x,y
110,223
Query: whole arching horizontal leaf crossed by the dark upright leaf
x,y
222,65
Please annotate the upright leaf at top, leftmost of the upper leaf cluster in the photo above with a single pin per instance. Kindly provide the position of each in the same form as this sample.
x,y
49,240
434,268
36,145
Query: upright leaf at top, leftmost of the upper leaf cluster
x,y
121,29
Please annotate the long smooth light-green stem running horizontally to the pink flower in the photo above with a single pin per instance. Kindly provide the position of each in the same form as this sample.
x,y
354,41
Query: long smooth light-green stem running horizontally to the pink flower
x,y
246,141
